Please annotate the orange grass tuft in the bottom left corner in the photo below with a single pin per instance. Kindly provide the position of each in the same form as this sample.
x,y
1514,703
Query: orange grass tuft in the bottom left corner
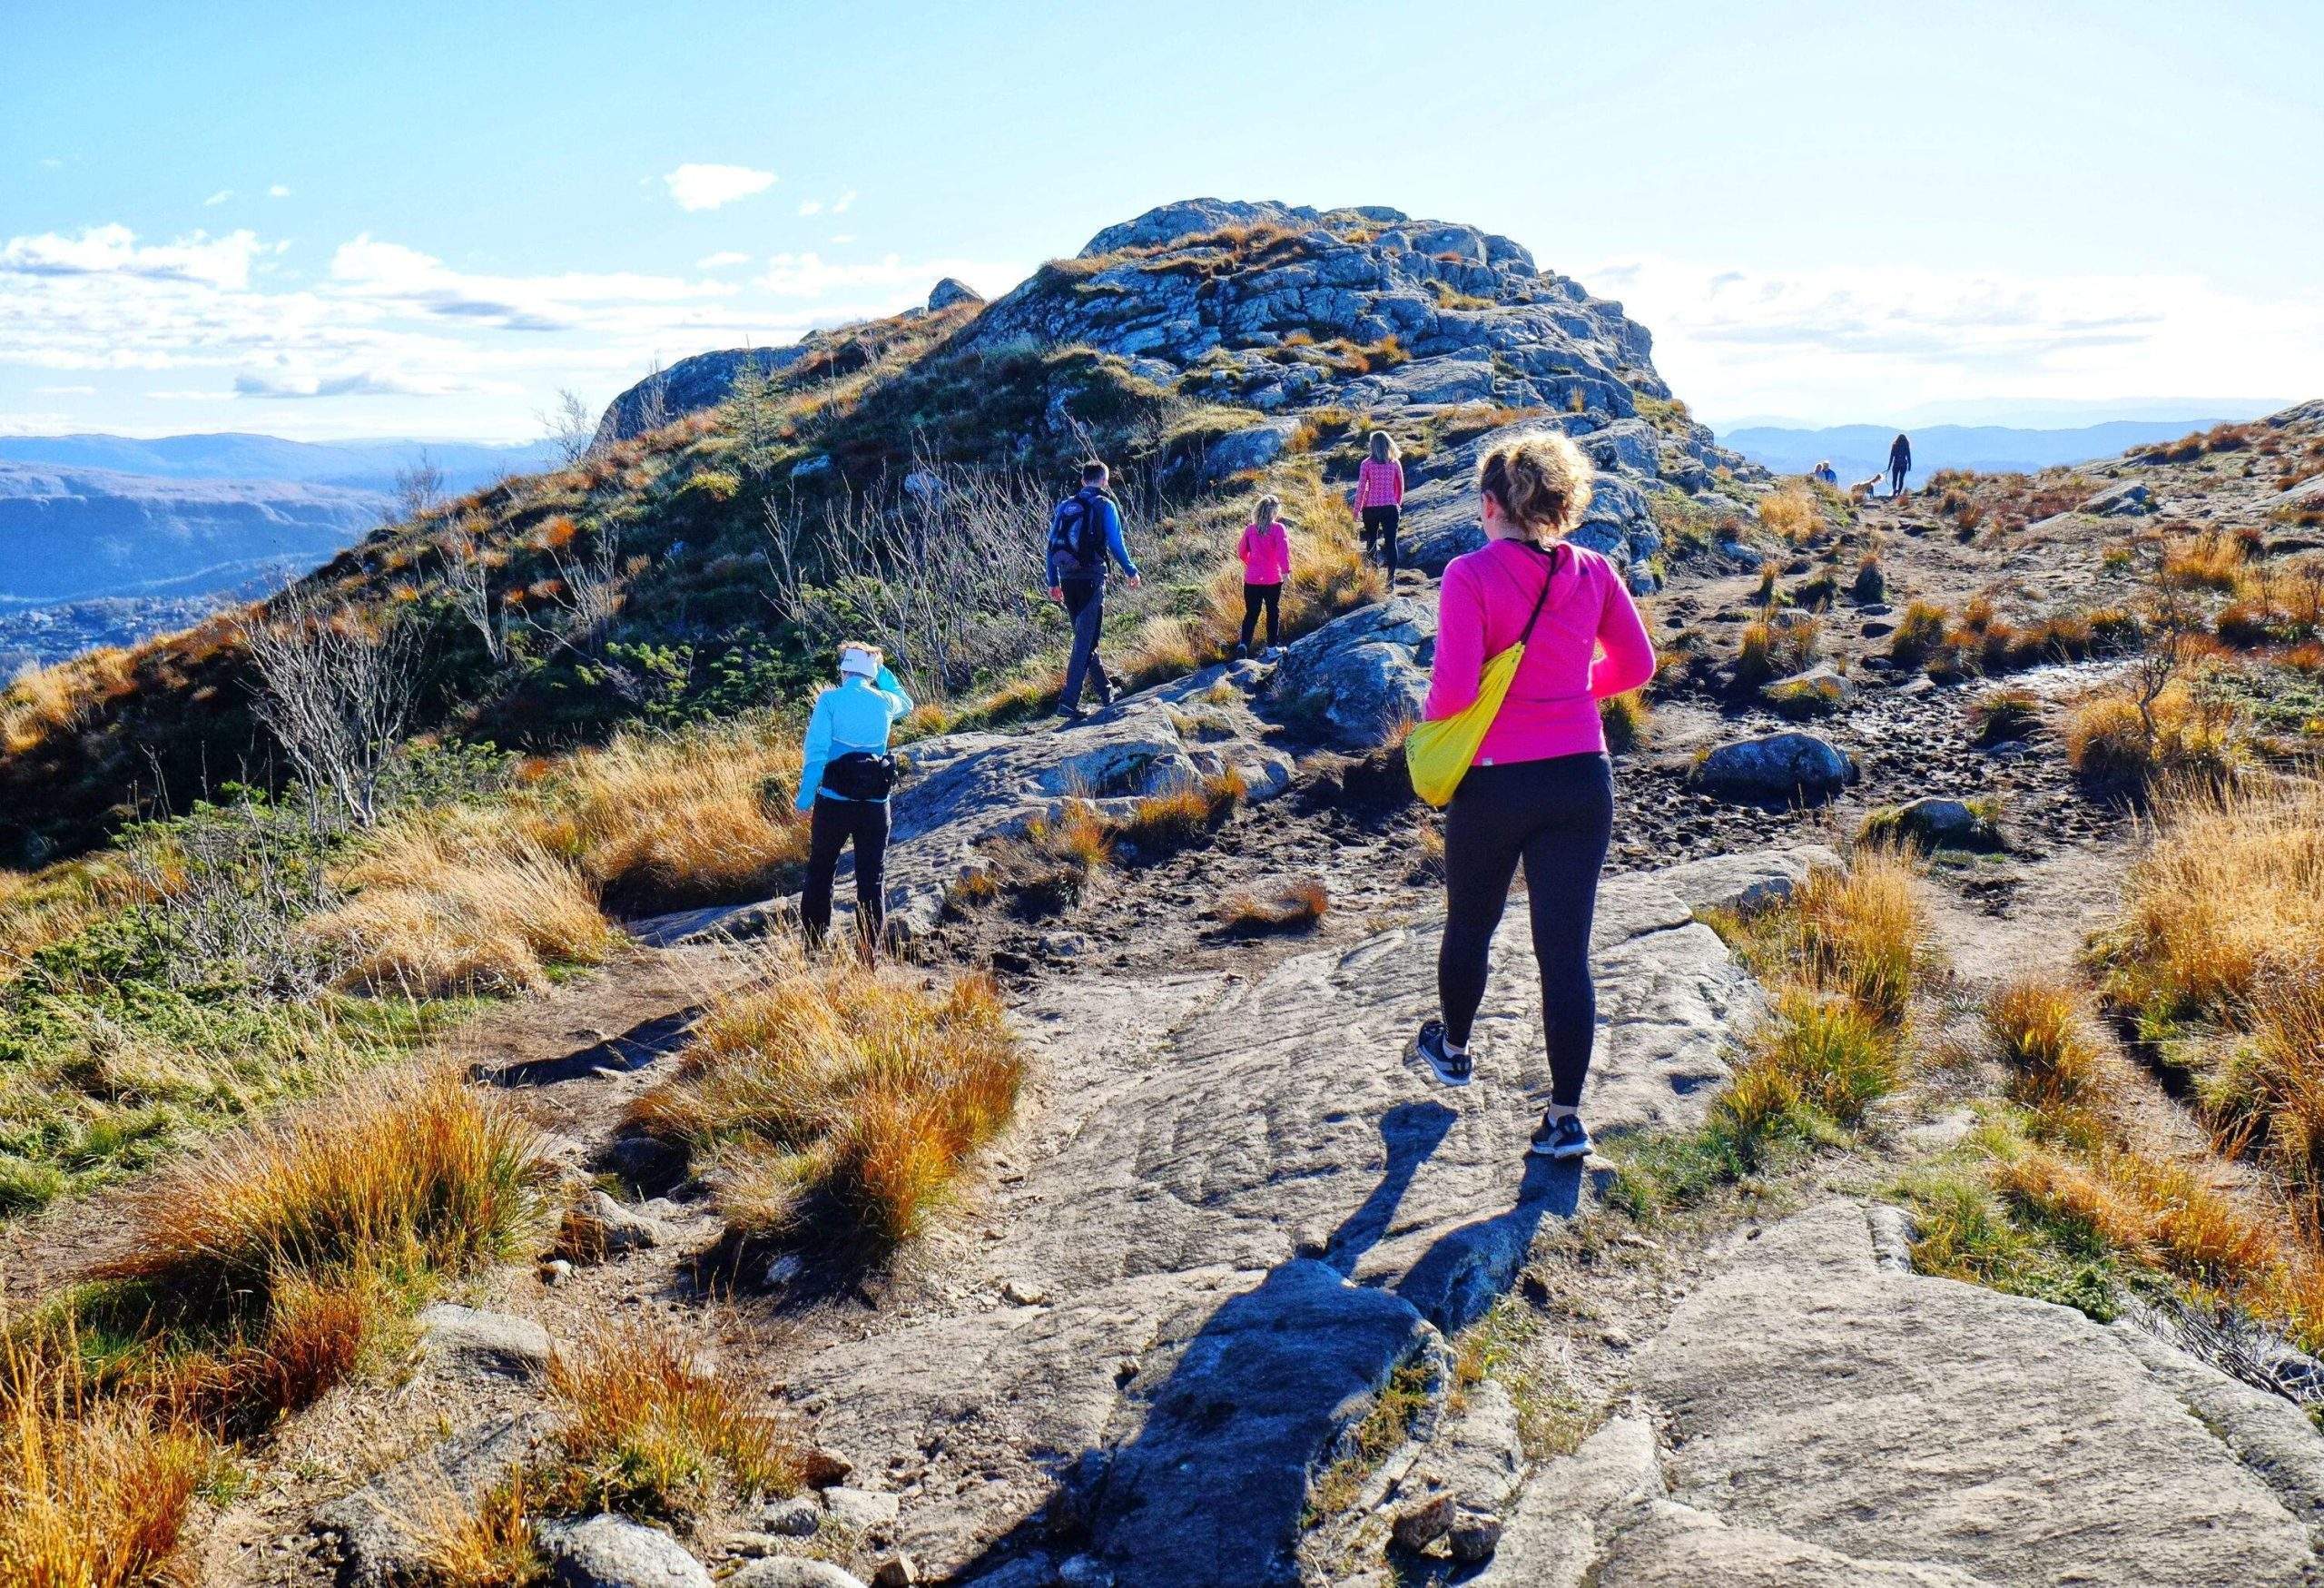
x,y
94,1494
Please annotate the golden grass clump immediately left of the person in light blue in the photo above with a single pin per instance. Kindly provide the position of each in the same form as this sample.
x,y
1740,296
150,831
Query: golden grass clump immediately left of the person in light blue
x,y
664,822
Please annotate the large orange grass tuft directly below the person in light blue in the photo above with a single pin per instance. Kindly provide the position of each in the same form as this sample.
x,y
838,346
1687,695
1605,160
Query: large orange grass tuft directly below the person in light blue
x,y
845,1087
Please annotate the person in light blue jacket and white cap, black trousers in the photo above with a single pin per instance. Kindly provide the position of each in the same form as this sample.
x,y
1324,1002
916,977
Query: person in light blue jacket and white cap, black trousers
x,y
845,782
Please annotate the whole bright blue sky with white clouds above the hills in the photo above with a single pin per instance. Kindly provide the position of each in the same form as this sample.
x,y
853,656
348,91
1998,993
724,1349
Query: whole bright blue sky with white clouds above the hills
x,y
429,220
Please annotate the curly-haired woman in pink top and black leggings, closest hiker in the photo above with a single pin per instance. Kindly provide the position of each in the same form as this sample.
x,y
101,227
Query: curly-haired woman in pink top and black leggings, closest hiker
x,y
1540,787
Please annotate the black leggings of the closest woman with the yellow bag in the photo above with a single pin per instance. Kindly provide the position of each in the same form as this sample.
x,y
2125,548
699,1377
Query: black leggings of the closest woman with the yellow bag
x,y
1558,817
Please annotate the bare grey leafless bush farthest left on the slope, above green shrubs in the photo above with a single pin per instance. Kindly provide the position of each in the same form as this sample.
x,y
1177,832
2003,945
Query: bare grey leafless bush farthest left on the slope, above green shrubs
x,y
338,692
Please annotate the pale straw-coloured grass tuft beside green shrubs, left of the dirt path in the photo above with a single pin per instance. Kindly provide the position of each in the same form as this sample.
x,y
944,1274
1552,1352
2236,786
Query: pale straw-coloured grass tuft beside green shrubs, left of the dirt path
x,y
461,906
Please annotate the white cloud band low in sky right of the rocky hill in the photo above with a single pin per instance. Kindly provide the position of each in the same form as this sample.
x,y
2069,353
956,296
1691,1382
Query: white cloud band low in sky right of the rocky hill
x,y
1844,343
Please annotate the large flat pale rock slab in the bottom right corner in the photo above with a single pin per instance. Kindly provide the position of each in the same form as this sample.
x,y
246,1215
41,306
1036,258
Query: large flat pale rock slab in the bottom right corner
x,y
1837,1422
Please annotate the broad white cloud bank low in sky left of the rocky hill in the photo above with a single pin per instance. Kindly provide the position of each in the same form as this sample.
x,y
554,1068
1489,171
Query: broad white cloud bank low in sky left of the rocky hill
x,y
394,336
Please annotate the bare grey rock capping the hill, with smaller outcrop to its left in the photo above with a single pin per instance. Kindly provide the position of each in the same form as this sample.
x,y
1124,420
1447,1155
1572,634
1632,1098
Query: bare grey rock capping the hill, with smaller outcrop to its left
x,y
1305,317
